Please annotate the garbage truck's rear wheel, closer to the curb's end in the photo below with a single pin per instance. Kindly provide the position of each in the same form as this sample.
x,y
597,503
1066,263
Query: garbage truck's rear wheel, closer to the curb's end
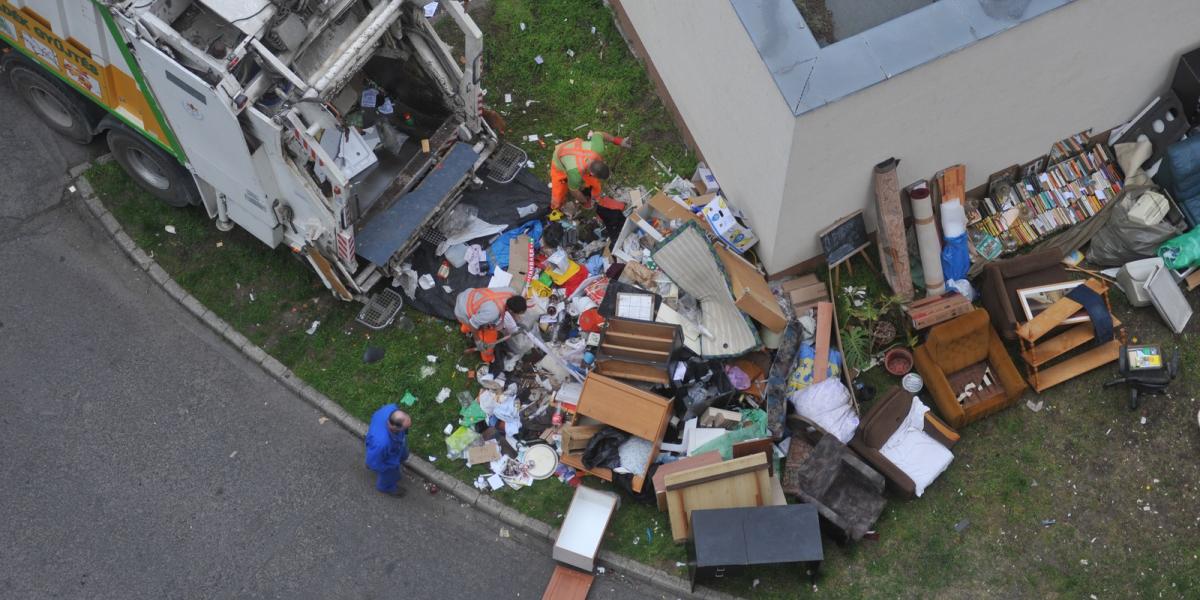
x,y
155,171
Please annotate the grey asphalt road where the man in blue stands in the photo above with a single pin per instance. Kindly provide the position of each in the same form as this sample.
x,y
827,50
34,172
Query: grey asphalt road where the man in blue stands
x,y
141,457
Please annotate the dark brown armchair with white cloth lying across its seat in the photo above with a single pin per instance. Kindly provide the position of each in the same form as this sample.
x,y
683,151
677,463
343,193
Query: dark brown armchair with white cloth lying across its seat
x,y
881,423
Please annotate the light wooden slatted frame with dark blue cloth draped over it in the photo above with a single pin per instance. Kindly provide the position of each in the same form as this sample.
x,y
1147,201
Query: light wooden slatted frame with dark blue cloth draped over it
x,y
1037,356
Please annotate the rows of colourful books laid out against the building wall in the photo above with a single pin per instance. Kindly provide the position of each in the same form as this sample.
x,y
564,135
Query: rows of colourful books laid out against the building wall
x,y
1069,193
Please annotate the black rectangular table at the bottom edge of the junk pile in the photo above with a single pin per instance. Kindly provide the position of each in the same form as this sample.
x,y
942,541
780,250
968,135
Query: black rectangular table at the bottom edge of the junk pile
x,y
727,539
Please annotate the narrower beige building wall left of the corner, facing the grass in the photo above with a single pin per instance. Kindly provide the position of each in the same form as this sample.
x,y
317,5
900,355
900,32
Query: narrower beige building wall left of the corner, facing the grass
x,y
727,97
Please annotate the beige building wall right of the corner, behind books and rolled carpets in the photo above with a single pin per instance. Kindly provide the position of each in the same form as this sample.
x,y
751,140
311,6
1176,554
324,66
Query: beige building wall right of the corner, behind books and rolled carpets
x,y
1001,101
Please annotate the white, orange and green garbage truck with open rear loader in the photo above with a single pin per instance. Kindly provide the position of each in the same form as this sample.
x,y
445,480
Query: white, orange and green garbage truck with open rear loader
x,y
341,129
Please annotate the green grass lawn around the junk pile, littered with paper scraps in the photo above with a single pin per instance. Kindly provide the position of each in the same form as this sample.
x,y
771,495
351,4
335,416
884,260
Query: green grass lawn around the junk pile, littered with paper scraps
x,y
1124,494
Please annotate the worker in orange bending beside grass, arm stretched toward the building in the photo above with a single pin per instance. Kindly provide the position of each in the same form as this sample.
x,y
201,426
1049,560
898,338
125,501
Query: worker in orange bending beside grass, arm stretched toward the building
x,y
578,171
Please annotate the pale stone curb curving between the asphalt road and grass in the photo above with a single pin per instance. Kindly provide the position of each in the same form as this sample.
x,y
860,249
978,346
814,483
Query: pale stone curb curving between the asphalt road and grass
x,y
423,469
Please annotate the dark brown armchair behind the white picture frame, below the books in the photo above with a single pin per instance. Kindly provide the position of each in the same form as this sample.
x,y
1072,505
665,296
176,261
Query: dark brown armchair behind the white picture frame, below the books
x,y
1003,279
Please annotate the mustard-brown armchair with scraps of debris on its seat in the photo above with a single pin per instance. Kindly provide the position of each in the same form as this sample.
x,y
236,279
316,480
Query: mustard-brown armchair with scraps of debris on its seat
x,y
956,356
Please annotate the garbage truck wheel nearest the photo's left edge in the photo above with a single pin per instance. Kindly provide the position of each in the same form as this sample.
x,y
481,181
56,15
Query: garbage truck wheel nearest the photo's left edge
x,y
63,110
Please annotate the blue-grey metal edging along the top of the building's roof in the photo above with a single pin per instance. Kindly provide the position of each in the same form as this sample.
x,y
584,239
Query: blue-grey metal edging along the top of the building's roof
x,y
809,76
